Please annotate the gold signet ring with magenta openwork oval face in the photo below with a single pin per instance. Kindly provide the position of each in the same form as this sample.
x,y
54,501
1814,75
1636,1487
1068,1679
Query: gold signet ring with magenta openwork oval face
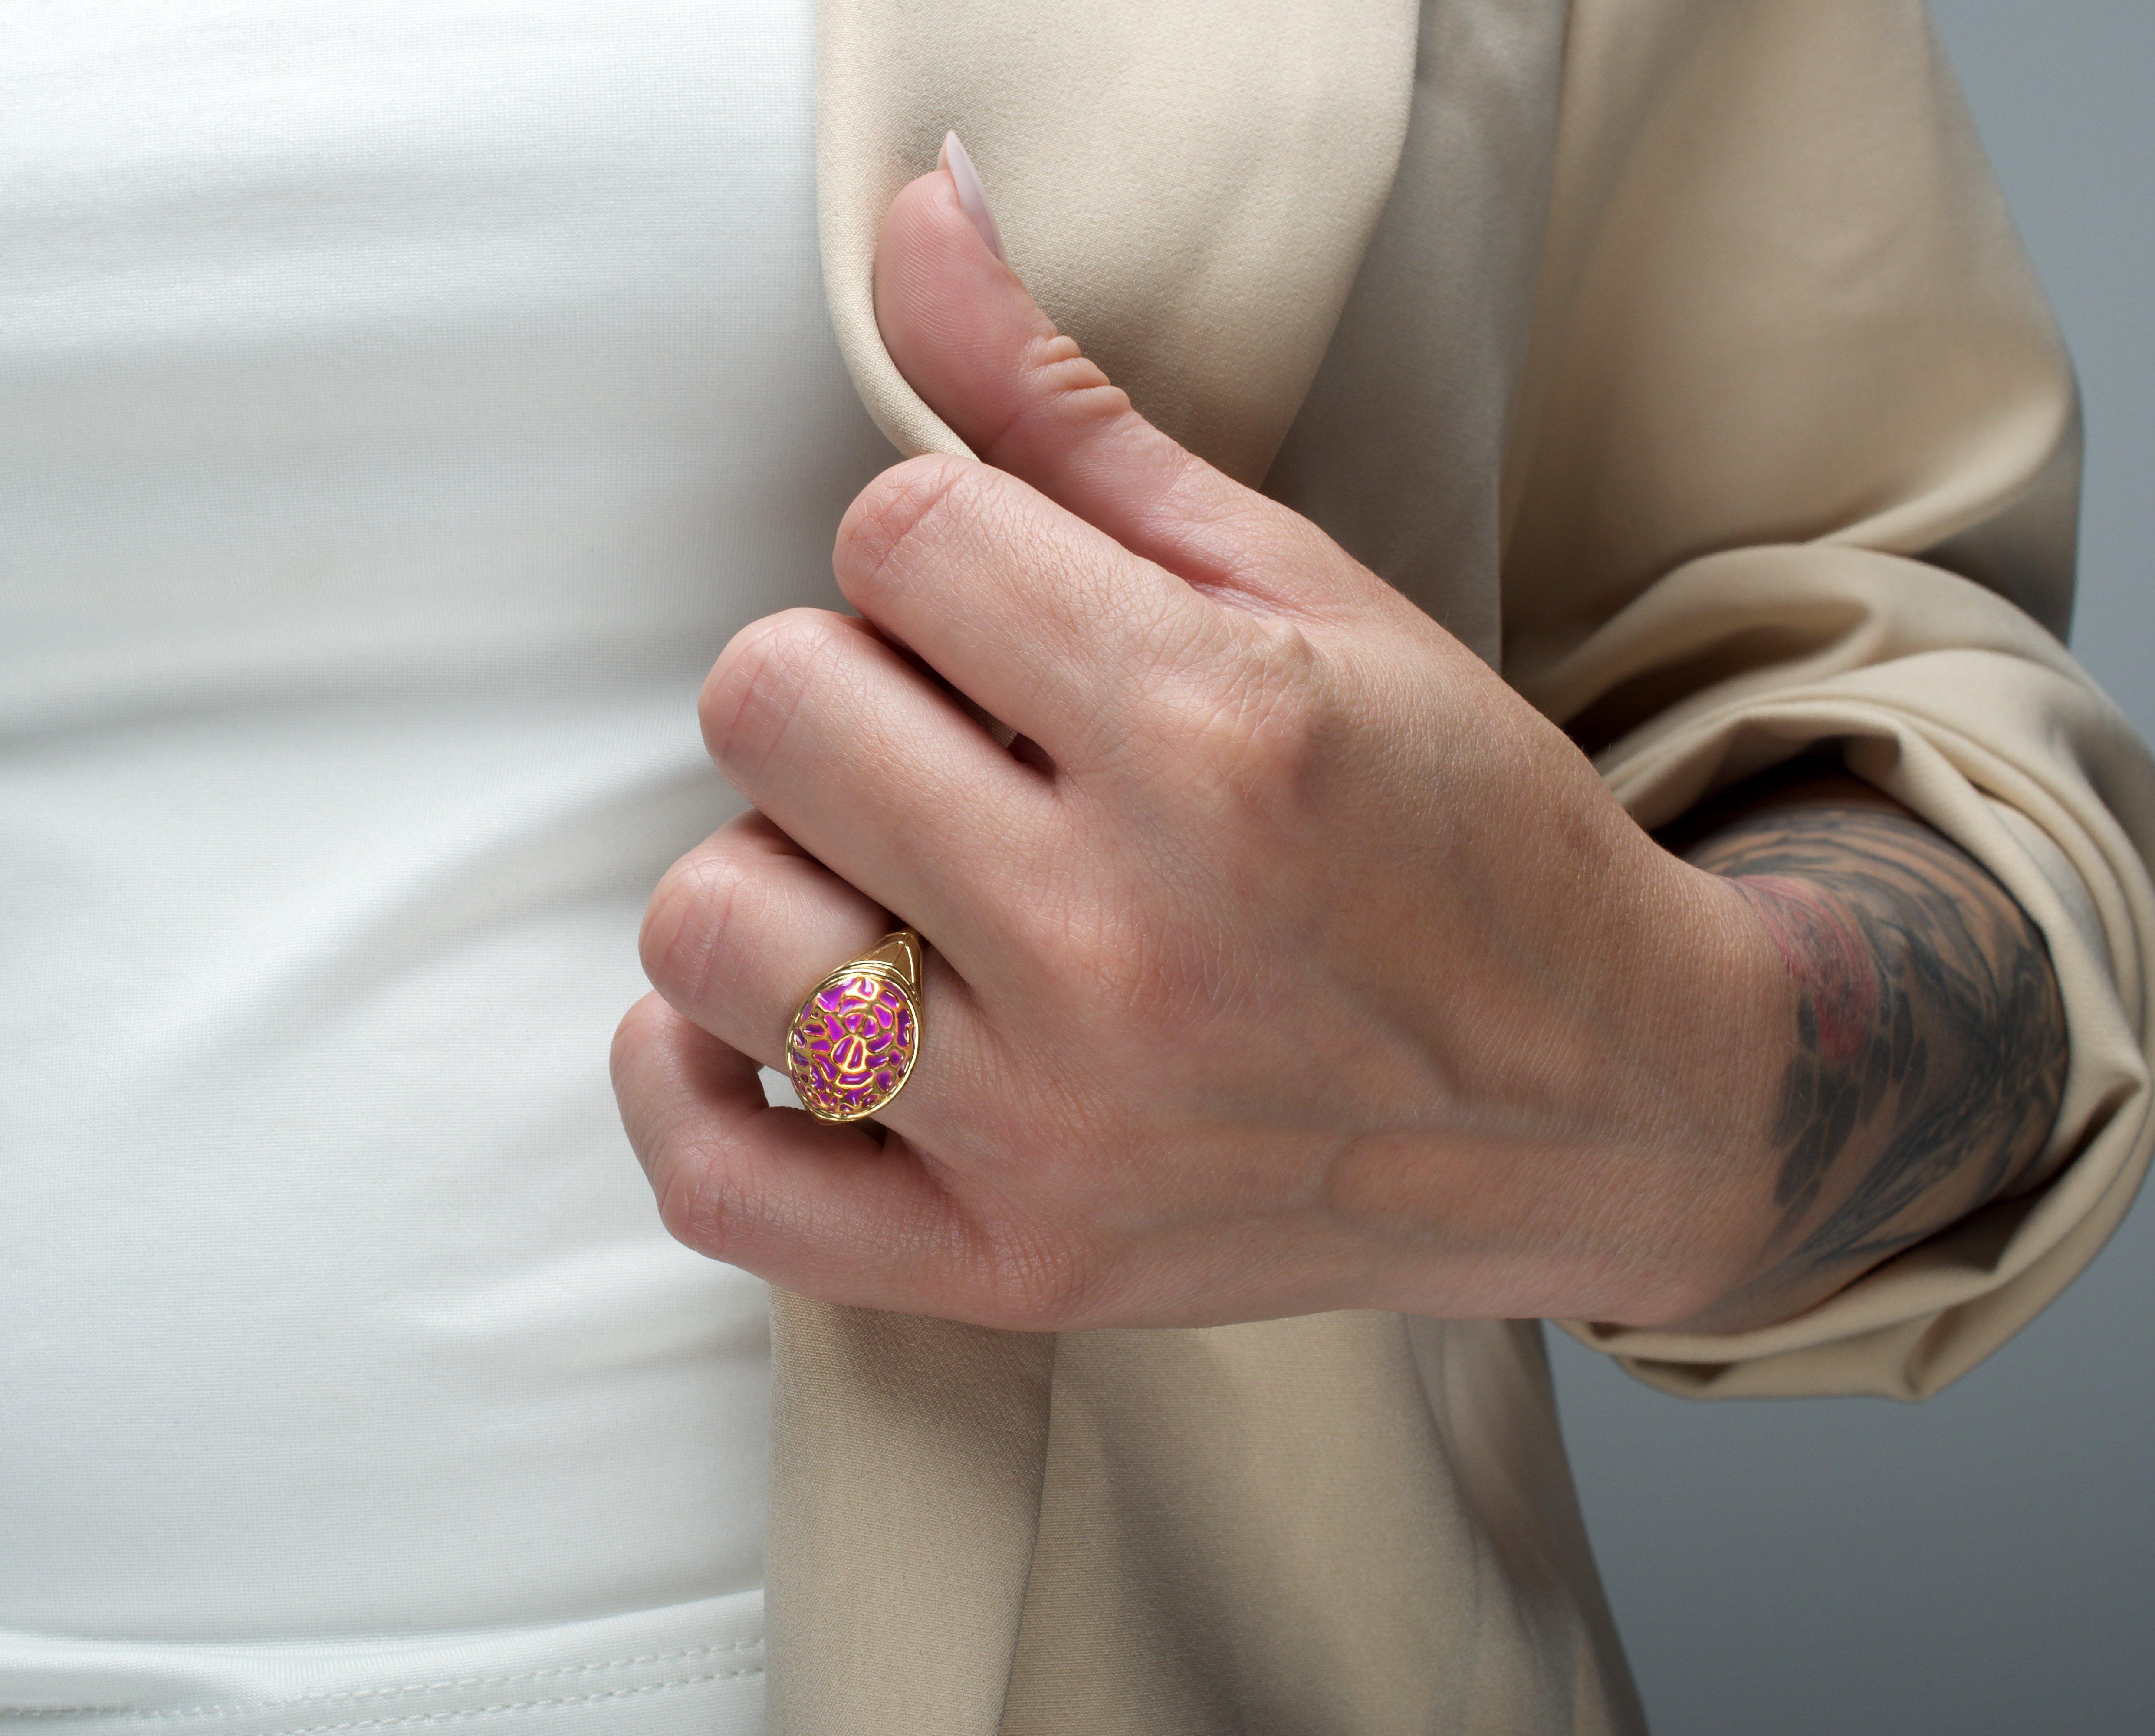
x,y
857,1036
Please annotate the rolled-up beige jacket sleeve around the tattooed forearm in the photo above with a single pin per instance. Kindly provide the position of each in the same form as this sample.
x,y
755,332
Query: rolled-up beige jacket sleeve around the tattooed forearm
x,y
1796,463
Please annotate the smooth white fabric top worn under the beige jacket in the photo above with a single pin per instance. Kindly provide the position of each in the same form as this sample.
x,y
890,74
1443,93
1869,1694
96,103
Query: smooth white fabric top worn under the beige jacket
x,y
400,409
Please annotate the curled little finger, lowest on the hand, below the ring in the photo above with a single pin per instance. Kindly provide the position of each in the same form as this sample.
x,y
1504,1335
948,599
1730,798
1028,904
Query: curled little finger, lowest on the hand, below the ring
x,y
829,1211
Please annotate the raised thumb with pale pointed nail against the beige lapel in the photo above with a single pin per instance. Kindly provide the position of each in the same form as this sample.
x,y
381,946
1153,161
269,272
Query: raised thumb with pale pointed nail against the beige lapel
x,y
973,342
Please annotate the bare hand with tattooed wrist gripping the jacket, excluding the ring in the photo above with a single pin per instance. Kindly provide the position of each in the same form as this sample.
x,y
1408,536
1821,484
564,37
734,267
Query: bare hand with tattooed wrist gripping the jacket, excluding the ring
x,y
1288,961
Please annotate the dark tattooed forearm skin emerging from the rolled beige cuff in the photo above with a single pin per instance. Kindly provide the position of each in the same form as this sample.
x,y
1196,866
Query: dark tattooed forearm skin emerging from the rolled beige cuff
x,y
1932,1047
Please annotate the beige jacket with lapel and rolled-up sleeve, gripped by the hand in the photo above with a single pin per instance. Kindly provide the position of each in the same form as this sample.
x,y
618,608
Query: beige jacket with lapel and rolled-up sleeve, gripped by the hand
x,y
1680,357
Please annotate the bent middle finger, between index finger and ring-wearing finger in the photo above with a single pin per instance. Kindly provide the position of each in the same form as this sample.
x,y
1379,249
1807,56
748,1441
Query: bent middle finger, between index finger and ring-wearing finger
x,y
878,775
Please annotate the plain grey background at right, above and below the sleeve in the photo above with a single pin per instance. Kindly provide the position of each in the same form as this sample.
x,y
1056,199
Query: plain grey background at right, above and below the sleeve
x,y
1984,1562
